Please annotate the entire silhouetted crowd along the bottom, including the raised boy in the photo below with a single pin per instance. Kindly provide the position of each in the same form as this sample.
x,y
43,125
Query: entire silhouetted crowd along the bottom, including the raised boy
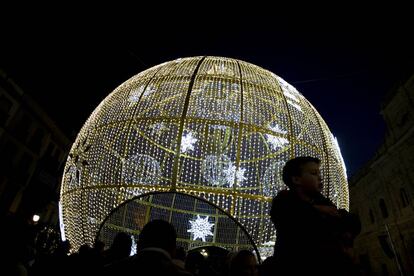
x,y
313,238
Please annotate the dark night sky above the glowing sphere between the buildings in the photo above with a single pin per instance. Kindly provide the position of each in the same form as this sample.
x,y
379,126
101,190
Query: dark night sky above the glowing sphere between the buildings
x,y
343,61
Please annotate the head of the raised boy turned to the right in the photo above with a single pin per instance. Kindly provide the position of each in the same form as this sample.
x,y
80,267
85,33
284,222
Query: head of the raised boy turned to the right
x,y
303,173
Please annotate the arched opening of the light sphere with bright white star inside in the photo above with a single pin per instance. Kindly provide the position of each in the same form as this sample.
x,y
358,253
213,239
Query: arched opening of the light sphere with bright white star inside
x,y
194,219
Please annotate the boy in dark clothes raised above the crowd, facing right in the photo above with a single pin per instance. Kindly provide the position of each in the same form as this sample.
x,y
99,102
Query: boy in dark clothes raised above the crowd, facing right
x,y
313,236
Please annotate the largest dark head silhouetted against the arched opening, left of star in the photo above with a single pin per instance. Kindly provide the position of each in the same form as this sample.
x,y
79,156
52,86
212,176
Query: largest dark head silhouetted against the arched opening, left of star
x,y
158,233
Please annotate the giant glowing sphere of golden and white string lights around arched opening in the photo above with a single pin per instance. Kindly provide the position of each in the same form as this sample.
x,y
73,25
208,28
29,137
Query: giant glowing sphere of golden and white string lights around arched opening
x,y
213,128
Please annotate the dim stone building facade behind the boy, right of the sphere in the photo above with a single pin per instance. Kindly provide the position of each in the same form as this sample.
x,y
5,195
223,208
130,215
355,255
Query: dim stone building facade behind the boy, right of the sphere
x,y
382,192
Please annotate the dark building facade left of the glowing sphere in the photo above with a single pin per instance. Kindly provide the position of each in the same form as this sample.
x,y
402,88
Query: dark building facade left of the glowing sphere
x,y
33,151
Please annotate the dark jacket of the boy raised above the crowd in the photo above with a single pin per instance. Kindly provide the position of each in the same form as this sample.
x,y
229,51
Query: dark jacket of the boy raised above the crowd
x,y
308,241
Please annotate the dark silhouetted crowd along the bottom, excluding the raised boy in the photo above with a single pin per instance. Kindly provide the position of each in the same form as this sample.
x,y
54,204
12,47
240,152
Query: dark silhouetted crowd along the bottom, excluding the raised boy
x,y
157,254
